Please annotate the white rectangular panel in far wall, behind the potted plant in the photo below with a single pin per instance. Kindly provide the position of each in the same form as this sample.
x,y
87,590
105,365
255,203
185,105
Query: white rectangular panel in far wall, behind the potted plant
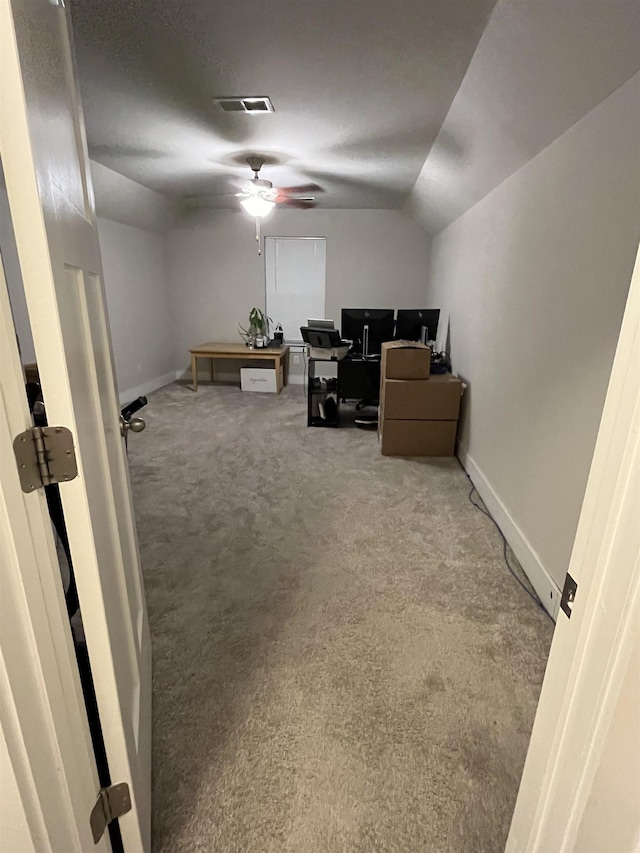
x,y
295,281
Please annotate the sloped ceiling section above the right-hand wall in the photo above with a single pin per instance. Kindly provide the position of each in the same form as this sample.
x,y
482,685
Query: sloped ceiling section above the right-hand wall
x,y
539,68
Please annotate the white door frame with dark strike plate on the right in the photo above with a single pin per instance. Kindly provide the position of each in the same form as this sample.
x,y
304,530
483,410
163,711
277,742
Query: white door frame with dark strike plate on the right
x,y
590,652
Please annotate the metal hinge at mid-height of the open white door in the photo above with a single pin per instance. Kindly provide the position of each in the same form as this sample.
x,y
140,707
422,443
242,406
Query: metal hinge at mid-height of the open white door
x,y
45,455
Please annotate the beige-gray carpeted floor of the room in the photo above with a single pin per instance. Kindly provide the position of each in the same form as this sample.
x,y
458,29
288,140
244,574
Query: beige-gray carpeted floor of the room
x,y
342,663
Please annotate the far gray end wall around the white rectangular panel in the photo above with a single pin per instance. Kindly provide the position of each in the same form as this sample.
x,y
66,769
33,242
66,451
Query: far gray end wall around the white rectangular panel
x,y
375,258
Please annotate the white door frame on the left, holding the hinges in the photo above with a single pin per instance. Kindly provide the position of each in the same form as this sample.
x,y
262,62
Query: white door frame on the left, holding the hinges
x,y
47,763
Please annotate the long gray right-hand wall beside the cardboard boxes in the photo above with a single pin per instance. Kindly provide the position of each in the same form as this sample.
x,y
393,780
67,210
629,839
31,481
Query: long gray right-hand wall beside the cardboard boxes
x,y
534,280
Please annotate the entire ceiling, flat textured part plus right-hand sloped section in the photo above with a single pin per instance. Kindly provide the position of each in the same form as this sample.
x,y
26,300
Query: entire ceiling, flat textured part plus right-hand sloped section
x,y
382,103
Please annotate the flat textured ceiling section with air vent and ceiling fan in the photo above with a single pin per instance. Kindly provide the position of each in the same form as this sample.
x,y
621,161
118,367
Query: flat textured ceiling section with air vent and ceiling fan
x,y
360,88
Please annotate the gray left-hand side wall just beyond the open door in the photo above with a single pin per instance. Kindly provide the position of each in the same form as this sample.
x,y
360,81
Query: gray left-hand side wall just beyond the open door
x,y
137,292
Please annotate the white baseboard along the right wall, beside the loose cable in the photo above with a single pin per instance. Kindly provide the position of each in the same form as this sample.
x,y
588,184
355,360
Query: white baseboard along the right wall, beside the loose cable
x,y
546,588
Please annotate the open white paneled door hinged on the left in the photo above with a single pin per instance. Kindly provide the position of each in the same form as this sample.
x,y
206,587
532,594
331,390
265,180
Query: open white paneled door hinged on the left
x,y
43,151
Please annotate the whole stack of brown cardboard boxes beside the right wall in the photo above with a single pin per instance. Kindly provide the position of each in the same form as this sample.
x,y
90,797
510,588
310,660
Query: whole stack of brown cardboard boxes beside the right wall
x,y
418,412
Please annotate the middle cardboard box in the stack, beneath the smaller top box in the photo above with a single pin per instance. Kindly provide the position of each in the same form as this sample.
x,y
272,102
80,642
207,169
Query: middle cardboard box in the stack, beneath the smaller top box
x,y
437,399
